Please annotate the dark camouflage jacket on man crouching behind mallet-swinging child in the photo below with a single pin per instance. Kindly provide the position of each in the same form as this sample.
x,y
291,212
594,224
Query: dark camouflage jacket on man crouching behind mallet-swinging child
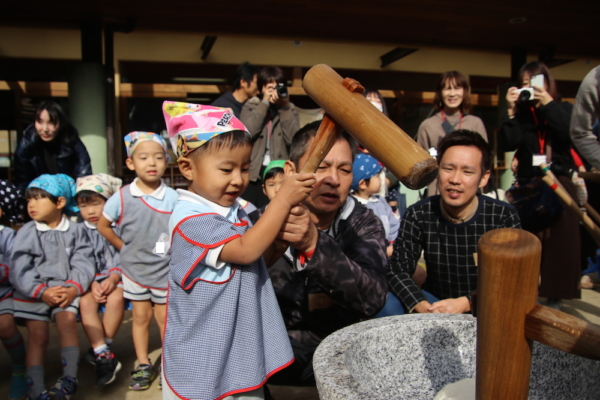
x,y
344,281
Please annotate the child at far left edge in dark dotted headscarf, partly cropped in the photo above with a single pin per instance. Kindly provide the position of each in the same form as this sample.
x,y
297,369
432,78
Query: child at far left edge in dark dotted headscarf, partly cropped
x,y
11,210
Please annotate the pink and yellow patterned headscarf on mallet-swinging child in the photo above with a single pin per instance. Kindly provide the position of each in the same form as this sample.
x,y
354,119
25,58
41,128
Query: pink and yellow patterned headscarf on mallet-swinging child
x,y
192,125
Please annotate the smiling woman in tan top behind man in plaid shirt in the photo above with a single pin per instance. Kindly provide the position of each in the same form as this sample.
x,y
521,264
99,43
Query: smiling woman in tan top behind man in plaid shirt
x,y
453,102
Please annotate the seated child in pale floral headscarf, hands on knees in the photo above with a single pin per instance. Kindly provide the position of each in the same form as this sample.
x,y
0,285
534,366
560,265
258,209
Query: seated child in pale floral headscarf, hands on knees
x,y
92,193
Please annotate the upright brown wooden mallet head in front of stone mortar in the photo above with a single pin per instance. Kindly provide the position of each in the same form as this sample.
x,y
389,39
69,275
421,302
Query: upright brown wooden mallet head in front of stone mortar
x,y
507,283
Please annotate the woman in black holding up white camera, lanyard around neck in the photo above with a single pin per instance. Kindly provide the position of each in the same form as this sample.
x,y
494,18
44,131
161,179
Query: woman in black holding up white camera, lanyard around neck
x,y
537,127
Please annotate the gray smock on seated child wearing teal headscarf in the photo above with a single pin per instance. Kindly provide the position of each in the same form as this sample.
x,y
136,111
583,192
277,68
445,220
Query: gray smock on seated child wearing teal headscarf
x,y
48,258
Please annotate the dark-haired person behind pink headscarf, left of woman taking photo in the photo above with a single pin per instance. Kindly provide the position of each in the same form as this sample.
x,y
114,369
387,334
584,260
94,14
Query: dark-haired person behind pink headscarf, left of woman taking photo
x,y
244,87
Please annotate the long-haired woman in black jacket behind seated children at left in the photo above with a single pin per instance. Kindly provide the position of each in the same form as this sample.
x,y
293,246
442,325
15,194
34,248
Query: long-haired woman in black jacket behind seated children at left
x,y
51,145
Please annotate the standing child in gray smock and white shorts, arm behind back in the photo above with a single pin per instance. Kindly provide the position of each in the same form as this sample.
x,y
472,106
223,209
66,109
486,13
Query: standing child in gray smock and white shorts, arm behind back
x,y
141,211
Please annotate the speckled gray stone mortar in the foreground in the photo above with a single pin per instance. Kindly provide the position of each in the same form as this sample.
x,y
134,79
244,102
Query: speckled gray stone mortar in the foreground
x,y
415,356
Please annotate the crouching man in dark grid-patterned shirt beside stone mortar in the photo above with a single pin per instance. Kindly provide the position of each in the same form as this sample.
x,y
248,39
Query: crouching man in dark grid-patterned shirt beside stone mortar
x,y
447,227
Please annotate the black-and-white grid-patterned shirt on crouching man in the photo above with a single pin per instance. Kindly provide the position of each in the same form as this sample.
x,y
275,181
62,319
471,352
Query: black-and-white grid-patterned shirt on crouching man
x,y
450,249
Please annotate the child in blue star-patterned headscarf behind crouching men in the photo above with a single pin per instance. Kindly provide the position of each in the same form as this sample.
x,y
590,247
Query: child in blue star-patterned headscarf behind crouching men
x,y
366,183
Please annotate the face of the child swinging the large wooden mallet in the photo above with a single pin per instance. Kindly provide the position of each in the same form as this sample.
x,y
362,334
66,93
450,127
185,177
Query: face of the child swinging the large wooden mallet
x,y
222,175
